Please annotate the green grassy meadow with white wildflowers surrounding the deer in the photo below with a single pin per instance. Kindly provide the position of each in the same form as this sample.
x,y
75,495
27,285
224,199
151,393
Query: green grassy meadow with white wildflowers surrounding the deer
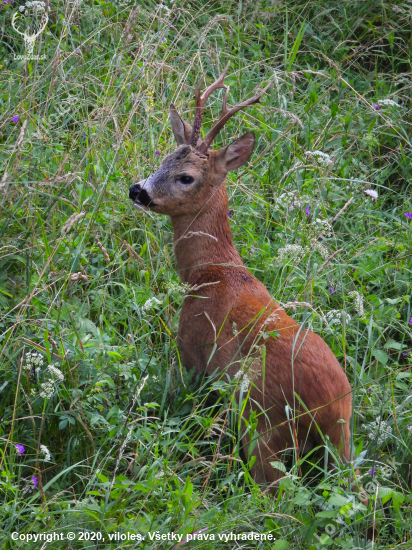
x,y
121,438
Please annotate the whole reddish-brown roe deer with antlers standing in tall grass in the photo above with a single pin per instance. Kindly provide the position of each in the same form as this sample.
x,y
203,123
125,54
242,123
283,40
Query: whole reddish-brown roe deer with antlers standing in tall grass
x,y
232,308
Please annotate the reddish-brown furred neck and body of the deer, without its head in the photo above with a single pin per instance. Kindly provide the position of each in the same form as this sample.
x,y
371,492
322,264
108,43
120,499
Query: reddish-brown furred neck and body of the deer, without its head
x,y
316,375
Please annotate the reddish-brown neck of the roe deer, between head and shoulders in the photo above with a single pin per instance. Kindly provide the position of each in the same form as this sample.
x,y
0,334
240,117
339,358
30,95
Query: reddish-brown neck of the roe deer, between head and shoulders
x,y
205,238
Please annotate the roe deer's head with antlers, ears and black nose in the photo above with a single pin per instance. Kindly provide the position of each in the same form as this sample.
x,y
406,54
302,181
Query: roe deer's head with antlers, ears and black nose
x,y
189,176
